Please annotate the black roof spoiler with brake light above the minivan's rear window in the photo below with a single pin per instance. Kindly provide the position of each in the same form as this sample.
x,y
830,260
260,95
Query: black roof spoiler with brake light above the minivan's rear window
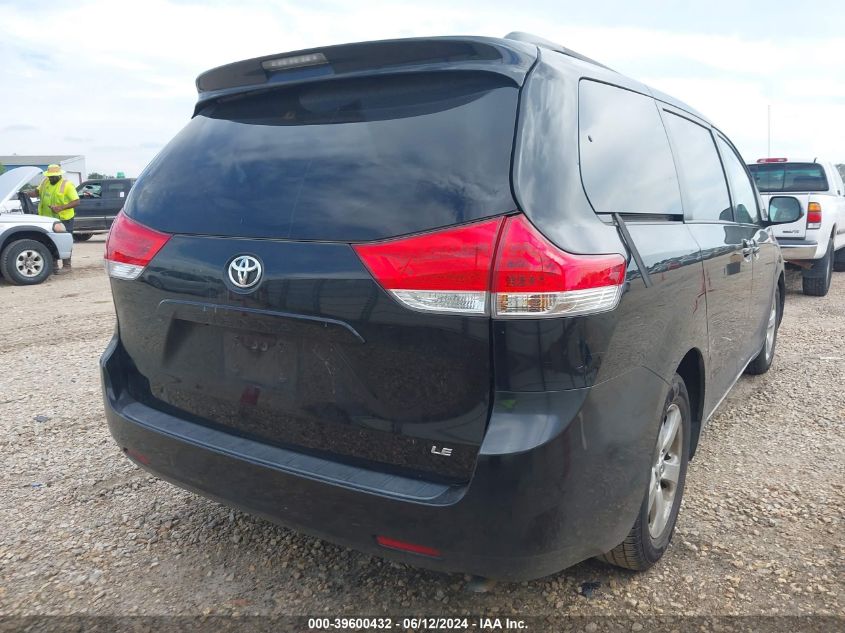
x,y
506,57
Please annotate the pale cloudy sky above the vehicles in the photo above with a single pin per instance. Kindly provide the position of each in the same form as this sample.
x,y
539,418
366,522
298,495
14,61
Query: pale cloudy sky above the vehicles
x,y
114,80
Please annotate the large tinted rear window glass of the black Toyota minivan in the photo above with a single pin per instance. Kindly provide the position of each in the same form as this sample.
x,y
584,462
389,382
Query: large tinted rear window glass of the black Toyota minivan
x,y
344,160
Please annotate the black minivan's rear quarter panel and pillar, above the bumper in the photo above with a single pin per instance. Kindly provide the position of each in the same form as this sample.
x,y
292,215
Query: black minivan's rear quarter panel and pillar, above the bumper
x,y
652,327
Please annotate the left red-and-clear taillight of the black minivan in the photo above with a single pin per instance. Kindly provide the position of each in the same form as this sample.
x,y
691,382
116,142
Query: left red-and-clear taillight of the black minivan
x,y
130,247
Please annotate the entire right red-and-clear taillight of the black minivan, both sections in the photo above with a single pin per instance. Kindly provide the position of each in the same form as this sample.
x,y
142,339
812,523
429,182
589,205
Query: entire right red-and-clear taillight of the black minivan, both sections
x,y
462,270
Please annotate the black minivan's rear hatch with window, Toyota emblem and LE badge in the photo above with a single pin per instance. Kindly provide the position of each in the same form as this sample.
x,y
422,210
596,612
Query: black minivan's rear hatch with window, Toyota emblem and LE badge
x,y
316,355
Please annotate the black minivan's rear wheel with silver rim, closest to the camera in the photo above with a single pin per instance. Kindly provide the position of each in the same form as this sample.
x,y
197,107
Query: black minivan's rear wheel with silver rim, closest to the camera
x,y
647,541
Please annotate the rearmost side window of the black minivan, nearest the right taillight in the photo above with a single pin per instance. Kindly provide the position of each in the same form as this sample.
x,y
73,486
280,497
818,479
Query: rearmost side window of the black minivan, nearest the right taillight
x,y
626,164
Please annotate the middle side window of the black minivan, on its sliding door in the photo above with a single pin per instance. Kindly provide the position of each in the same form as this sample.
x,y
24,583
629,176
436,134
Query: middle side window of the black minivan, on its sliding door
x,y
699,167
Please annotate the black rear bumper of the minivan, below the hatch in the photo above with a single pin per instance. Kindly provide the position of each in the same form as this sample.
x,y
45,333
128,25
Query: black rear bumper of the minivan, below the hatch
x,y
559,479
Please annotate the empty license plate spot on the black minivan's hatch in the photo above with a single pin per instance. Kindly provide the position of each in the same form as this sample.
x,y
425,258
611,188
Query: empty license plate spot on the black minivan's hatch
x,y
261,359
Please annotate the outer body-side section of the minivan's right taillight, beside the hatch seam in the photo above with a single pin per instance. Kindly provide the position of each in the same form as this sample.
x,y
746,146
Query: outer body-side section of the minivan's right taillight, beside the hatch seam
x,y
533,277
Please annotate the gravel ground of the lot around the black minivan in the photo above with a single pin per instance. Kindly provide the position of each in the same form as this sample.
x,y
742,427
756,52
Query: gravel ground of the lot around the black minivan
x,y
86,532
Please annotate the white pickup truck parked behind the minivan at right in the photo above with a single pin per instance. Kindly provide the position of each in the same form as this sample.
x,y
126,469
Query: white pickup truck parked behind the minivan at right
x,y
816,242
